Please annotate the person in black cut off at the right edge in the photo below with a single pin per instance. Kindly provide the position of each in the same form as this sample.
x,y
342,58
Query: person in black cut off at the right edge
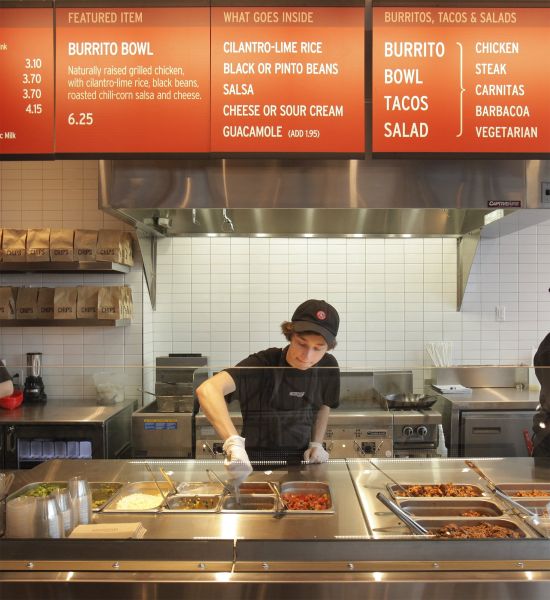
x,y
541,420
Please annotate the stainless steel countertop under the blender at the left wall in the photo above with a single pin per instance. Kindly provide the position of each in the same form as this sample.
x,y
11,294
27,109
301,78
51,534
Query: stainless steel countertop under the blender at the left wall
x,y
60,413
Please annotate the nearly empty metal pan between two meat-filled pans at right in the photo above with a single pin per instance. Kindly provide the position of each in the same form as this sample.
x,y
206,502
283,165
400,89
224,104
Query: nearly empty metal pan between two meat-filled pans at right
x,y
450,507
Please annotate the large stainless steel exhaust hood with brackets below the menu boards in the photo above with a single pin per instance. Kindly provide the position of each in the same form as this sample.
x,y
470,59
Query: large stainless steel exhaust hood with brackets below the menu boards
x,y
310,198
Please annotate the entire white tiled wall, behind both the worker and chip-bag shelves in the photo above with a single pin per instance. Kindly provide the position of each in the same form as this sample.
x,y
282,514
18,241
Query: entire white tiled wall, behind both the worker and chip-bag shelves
x,y
226,297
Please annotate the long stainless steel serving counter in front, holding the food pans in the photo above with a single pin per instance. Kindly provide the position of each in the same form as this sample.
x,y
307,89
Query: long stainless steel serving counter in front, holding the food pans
x,y
358,551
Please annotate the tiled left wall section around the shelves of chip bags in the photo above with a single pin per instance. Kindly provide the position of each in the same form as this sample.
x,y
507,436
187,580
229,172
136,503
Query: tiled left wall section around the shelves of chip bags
x,y
65,194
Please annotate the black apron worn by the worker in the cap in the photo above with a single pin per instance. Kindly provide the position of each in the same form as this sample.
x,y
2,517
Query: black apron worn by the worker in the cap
x,y
286,421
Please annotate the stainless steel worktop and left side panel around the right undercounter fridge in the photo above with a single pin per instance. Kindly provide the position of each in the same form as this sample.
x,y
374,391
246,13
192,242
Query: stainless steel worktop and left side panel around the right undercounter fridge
x,y
481,399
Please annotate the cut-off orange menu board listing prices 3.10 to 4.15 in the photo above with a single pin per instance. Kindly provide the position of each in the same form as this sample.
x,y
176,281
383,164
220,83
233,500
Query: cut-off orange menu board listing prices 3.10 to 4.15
x,y
27,88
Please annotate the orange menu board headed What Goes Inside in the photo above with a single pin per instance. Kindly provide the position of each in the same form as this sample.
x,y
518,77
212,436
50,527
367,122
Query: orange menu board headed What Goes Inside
x,y
288,79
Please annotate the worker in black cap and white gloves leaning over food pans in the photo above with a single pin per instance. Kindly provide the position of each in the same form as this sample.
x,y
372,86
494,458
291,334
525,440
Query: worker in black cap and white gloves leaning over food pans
x,y
285,395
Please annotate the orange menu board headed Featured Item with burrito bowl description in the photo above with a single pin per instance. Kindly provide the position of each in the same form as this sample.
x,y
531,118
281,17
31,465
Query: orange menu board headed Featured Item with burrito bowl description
x,y
132,80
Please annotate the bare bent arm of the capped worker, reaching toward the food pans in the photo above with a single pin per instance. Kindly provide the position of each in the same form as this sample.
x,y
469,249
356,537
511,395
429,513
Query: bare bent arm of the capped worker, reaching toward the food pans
x,y
211,398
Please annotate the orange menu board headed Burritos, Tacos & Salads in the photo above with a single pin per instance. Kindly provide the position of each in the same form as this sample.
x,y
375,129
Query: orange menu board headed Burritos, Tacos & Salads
x,y
461,80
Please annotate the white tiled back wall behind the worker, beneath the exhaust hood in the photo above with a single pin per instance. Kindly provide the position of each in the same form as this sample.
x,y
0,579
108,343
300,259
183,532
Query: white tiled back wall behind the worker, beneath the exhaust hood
x,y
226,297
